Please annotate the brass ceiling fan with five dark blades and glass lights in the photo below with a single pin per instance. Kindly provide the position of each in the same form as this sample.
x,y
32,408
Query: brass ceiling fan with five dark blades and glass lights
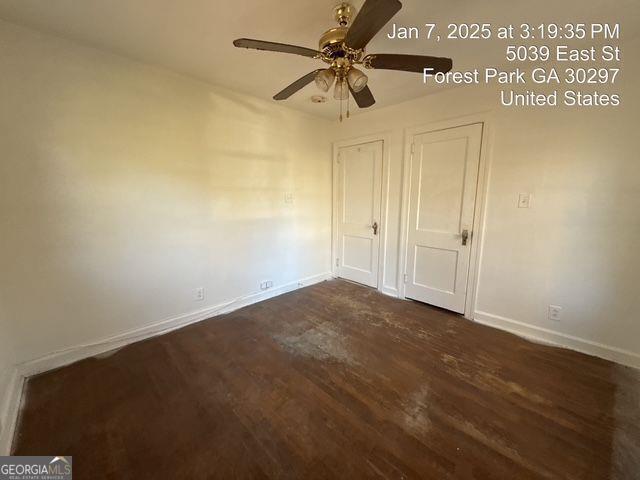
x,y
343,47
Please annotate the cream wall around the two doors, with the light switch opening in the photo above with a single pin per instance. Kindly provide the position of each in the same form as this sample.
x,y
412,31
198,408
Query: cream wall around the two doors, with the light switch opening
x,y
577,246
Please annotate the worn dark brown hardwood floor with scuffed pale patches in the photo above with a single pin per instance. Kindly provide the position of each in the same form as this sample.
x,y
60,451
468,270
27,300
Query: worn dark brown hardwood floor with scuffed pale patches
x,y
337,381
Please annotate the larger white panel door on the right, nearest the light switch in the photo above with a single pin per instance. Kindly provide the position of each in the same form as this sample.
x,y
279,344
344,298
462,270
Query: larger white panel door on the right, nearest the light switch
x,y
443,182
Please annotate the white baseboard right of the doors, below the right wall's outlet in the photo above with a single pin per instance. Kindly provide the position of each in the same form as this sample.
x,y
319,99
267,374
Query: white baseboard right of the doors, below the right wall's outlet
x,y
551,337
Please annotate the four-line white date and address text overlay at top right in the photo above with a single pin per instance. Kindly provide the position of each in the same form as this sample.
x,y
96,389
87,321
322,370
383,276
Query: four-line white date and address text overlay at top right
x,y
544,65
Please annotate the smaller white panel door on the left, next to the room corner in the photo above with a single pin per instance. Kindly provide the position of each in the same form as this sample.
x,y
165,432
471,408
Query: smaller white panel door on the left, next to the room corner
x,y
359,187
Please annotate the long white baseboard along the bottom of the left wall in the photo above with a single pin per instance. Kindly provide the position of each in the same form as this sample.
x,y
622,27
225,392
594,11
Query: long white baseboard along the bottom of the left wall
x,y
73,354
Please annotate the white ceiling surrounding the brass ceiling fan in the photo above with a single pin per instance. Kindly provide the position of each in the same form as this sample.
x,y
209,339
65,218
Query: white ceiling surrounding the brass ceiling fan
x,y
195,37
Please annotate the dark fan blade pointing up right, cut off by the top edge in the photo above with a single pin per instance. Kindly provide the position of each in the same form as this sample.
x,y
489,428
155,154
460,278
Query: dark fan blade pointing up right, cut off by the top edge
x,y
373,15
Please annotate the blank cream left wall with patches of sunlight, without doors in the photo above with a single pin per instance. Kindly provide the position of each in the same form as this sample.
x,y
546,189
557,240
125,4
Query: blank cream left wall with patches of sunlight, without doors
x,y
125,187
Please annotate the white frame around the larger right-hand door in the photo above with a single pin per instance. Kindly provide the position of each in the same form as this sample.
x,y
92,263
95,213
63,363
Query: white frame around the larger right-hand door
x,y
475,255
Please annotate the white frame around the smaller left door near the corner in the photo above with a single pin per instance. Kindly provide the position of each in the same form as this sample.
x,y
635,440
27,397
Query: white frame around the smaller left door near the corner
x,y
385,138
